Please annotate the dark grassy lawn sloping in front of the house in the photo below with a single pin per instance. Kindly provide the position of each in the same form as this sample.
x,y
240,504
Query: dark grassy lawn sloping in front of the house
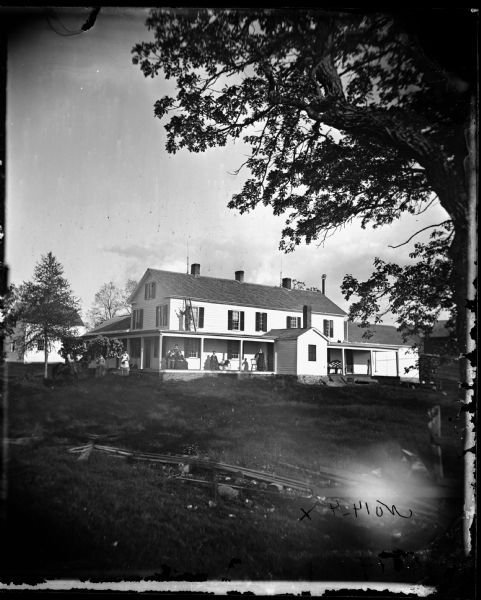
x,y
106,517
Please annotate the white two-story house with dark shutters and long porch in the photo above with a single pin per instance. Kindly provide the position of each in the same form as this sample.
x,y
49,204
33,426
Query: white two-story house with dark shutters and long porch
x,y
300,332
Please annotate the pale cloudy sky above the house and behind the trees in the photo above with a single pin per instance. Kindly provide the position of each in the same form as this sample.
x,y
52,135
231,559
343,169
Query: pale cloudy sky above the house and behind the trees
x,y
89,179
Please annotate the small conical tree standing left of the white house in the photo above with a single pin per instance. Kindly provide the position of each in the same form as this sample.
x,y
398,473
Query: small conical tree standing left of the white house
x,y
47,307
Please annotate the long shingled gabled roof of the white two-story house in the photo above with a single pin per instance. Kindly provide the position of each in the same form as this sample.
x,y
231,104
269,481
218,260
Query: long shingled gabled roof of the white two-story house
x,y
230,291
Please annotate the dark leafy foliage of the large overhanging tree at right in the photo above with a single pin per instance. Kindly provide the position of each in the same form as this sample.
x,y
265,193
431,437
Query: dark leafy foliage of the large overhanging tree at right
x,y
348,115
